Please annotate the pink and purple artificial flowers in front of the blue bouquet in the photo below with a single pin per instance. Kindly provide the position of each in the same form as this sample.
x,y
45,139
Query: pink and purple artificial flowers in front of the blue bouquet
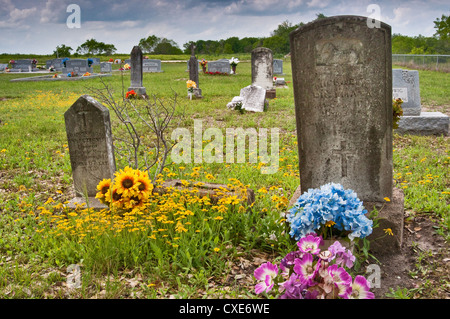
x,y
312,273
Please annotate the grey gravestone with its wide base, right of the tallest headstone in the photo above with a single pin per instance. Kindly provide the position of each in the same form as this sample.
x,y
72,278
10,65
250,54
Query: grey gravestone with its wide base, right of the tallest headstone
x,y
405,85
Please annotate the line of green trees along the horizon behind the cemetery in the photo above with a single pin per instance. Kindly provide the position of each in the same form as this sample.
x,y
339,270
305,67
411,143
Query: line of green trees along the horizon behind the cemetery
x,y
278,42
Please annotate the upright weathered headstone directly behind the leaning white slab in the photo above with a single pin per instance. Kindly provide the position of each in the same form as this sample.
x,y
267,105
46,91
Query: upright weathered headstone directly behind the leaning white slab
x,y
262,68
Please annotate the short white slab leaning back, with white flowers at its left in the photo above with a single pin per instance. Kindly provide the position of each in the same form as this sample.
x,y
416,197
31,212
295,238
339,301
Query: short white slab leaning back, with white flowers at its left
x,y
252,98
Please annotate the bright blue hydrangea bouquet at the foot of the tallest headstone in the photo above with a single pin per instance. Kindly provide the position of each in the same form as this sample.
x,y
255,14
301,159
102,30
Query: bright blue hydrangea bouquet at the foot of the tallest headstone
x,y
331,204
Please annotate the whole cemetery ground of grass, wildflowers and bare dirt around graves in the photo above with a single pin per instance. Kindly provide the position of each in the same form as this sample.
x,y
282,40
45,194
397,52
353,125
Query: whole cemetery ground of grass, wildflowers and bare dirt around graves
x,y
216,256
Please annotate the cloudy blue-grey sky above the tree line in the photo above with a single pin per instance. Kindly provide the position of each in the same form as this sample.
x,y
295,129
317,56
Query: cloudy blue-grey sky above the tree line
x,y
38,26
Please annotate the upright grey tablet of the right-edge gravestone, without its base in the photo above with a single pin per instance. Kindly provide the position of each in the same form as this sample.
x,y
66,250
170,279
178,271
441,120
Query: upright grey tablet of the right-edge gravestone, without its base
x,y
405,85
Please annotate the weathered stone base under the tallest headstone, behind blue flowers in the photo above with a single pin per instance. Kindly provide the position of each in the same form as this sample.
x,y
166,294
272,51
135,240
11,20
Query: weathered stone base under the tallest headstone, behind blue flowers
x,y
391,215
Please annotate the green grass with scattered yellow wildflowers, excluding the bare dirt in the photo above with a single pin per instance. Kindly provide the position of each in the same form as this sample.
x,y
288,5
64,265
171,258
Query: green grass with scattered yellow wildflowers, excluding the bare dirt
x,y
35,166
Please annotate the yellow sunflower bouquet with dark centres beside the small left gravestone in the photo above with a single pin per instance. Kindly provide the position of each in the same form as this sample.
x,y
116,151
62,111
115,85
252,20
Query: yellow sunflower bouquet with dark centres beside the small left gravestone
x,y
130,189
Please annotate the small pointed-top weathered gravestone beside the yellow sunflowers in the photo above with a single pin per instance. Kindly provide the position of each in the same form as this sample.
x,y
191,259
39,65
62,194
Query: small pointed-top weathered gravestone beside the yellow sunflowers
x,y
91,150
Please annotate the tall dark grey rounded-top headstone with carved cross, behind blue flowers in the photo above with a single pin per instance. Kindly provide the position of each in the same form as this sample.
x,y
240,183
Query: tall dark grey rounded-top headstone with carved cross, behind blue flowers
x,y
342,79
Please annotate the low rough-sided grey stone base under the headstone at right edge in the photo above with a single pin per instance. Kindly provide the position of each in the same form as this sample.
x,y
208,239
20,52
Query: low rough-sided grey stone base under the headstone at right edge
x,y
427,123
